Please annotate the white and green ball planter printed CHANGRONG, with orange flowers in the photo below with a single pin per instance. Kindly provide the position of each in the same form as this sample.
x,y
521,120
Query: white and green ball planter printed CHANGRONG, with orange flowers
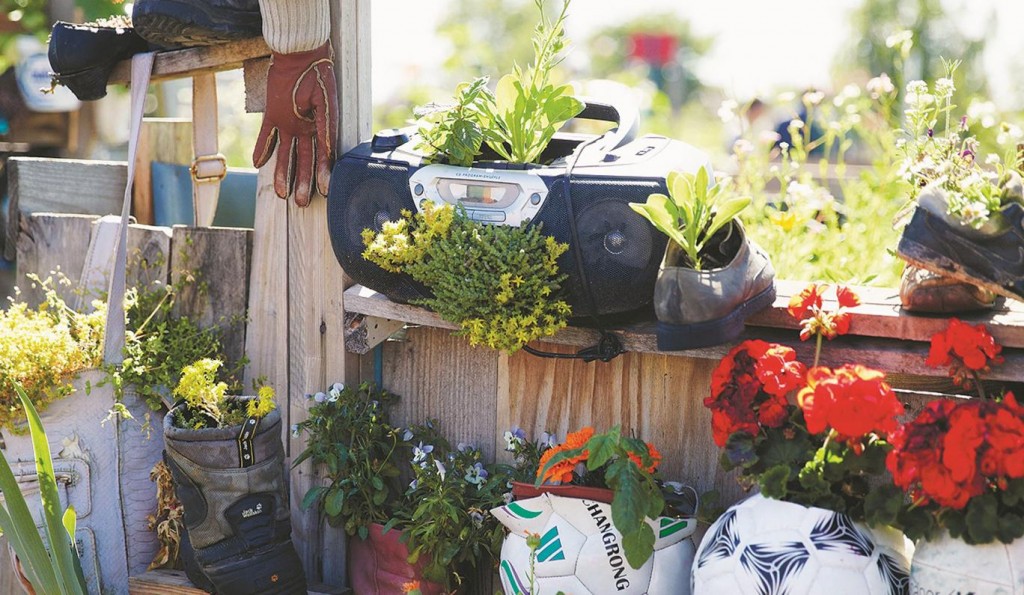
x,y
581,551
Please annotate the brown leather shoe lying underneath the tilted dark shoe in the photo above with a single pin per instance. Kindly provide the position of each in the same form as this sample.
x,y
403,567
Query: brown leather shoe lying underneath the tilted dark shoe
x,y
924,291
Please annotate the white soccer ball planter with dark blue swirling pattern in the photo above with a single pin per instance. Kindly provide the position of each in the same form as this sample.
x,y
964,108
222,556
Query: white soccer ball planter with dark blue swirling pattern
x,y
771,547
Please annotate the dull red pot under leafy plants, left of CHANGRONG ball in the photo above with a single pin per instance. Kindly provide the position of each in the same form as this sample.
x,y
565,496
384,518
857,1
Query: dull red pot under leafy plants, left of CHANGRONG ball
x,y
379,565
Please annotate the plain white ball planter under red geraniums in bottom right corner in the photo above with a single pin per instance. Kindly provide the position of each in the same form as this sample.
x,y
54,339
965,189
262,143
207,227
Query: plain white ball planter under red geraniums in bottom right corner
x,y
951,566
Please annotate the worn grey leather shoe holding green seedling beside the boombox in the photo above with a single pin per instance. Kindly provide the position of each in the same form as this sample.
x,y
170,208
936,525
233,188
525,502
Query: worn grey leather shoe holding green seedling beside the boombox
x,y
699,309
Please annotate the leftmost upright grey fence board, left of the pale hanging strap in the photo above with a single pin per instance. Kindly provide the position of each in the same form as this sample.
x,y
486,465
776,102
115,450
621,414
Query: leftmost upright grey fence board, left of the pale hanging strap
x,y
49,243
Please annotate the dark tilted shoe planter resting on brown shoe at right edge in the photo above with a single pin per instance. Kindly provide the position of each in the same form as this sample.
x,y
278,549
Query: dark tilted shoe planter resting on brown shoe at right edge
x,y
992,258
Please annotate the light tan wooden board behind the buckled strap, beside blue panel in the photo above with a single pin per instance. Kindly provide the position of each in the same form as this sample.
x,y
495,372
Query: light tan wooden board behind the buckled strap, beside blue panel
x,y
162,140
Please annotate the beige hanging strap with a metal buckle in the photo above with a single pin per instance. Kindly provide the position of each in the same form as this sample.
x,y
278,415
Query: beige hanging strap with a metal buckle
x,y
209,166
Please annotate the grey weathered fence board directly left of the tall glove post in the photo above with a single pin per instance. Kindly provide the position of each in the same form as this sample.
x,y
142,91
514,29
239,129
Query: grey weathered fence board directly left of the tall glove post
x,y
220,258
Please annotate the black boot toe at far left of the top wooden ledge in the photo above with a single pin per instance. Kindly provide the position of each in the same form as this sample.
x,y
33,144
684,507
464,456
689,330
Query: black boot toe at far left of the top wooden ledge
x,y
83,56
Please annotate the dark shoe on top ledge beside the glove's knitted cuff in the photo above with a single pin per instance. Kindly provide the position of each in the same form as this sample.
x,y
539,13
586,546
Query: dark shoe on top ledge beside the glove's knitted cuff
x,y
175,24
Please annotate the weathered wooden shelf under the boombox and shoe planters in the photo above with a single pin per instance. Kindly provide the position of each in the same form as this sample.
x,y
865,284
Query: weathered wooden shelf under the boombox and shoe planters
x,y
881,336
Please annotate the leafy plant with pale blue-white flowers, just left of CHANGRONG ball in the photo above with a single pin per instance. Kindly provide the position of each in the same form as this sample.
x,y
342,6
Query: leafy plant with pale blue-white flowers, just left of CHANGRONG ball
x,y
447,520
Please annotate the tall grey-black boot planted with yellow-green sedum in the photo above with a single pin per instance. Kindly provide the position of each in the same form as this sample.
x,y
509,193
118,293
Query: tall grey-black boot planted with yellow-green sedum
x,y
232,485
